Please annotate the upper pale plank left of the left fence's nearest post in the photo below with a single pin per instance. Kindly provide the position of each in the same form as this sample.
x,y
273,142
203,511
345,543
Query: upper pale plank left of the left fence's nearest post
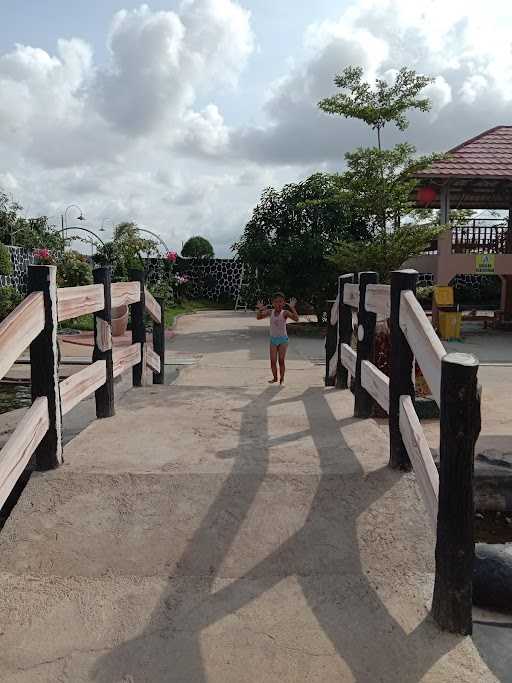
x,y
19,329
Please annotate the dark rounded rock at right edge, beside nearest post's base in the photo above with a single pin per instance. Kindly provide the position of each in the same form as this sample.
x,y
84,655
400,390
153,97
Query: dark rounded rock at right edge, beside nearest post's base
x,y
492,577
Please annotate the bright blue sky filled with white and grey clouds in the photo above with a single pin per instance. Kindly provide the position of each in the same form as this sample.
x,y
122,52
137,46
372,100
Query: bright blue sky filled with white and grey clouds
x,y
176,114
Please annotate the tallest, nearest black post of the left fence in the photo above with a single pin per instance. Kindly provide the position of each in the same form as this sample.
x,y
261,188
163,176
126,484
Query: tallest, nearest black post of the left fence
x,y
44,366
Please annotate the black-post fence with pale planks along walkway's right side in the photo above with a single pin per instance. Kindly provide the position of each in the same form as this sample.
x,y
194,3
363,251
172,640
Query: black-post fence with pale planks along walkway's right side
x,y
452,378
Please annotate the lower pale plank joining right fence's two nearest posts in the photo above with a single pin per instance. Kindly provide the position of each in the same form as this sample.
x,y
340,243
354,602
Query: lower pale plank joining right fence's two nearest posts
x,y
420,456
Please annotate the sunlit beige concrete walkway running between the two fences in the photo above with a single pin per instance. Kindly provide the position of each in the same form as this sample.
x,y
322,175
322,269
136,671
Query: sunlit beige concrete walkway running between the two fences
x,y
223,530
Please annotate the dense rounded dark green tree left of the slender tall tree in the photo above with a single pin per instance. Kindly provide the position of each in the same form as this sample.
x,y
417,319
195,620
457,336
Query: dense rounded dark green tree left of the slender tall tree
x,y
291,232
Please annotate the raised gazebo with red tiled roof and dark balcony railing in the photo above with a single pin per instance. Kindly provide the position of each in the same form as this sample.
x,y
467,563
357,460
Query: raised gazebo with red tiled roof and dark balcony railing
x,y
476,174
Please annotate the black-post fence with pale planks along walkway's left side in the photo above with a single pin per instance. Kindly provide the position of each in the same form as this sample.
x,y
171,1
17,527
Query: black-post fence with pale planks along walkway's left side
x,y
34,324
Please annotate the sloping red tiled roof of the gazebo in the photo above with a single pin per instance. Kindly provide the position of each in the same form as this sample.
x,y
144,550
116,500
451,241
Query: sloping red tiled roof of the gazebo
x,y
488,155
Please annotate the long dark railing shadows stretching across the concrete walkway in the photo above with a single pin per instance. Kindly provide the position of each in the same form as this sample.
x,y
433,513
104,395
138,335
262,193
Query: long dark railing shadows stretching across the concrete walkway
x,y
323,556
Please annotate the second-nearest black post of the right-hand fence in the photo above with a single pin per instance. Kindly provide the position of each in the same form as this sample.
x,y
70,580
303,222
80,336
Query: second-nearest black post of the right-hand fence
x,y
401,368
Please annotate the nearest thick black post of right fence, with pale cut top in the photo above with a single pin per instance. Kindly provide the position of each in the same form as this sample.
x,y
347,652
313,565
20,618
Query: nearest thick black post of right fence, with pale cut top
x,y
455,547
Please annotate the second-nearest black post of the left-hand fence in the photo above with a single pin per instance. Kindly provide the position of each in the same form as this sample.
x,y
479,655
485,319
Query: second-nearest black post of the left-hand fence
x,y
103,344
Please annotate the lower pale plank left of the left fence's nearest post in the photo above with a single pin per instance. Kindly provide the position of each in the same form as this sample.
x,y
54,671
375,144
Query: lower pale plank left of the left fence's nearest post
x,y
18,450
